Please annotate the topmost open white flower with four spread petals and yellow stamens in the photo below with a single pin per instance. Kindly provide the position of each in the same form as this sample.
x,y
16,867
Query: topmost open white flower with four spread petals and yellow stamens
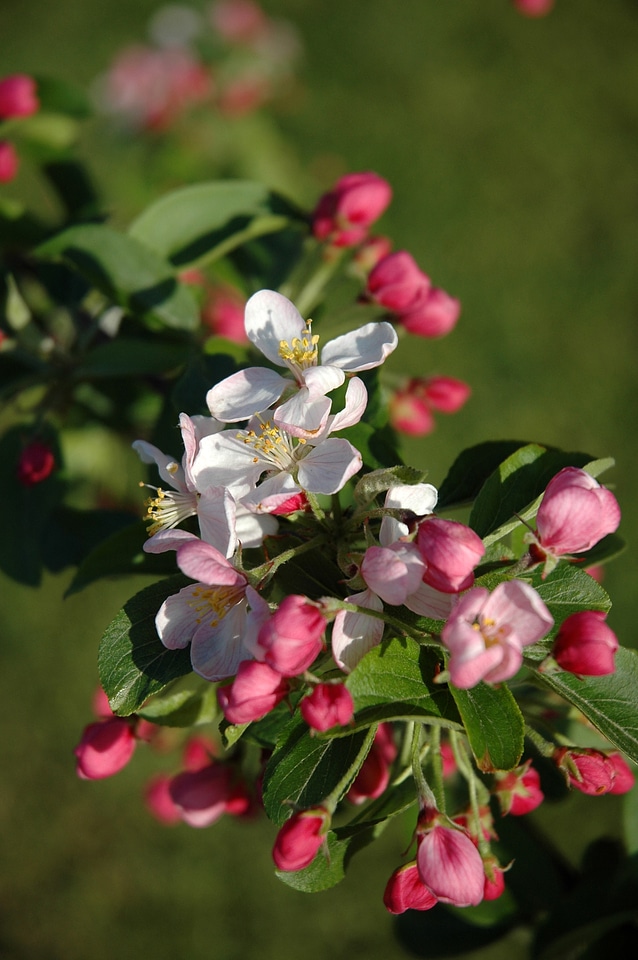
x,y
276,327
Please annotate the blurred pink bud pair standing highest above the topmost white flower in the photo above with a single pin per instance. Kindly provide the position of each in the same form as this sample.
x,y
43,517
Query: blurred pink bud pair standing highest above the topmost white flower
x,y
344,214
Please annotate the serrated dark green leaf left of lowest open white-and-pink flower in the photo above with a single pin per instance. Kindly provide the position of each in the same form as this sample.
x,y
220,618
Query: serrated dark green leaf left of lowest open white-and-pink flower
x,y
132,661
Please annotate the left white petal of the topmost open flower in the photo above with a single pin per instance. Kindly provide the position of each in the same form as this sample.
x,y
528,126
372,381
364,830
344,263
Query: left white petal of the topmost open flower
x,y
245,393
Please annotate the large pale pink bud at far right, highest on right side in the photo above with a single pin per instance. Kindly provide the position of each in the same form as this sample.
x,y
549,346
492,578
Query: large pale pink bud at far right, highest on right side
x,y
574,514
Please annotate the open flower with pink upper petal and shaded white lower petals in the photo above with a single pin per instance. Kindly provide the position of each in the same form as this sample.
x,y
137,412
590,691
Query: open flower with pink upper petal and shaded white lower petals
x,y
219,616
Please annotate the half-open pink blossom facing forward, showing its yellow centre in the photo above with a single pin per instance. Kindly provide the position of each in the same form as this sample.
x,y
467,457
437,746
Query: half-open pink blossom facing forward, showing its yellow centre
x,y
486,632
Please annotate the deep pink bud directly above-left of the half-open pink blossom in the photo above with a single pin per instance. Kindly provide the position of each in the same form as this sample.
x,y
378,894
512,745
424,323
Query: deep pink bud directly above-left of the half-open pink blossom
x,y
451,551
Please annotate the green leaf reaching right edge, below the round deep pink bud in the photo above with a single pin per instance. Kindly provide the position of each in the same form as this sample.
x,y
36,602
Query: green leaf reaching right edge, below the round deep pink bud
x,y
610,703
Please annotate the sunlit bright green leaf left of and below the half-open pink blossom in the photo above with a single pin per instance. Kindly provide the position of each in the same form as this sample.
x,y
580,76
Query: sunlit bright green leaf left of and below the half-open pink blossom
x,y
395,681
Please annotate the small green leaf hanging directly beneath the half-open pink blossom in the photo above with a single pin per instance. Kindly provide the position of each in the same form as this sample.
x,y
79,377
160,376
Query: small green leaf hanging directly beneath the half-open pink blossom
x,y
494,725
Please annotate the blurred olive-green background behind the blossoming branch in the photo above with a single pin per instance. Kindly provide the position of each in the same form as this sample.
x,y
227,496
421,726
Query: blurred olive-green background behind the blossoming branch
x,y
511,145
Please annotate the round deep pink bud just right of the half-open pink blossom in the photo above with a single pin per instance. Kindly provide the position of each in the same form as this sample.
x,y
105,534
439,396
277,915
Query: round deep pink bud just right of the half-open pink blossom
x,y
585,645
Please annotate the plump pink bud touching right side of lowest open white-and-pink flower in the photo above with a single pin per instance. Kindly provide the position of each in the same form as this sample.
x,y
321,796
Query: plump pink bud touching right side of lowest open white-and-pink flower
x,y
292,638
